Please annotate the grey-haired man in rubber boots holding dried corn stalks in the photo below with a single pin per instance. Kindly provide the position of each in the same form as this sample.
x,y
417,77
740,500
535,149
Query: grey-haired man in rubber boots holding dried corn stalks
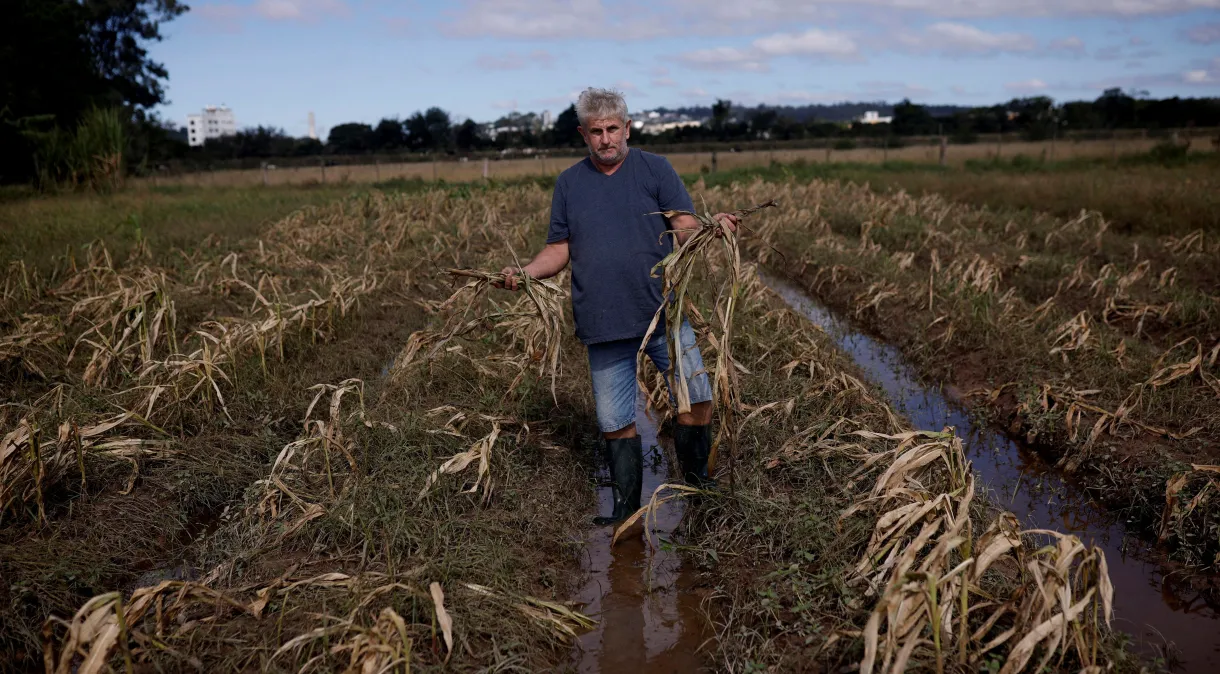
x,y
601,223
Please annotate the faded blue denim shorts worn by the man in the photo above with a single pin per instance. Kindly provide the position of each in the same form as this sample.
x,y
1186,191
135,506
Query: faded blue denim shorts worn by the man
x,y
613,368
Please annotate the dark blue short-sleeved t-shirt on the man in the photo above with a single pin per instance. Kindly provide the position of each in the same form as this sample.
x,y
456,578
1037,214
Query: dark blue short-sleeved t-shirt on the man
x,y
614,244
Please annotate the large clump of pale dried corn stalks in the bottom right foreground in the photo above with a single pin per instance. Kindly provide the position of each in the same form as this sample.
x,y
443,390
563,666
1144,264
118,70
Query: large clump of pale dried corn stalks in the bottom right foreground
x,y
930,573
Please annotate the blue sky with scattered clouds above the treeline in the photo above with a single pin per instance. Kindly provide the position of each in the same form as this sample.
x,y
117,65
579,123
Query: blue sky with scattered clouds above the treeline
x,y
274,62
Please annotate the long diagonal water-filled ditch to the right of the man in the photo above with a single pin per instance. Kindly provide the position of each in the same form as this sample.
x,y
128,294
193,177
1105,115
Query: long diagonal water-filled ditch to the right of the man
x,y
1161,614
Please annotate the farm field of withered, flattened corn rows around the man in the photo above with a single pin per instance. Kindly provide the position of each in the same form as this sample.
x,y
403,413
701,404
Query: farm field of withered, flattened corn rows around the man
x,y
290,441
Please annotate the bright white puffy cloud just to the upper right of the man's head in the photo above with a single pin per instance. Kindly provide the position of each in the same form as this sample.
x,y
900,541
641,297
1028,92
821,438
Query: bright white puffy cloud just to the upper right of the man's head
x,y
758,56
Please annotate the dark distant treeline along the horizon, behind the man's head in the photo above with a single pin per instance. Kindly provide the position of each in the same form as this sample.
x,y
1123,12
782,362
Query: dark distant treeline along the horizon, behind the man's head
x,y
434,132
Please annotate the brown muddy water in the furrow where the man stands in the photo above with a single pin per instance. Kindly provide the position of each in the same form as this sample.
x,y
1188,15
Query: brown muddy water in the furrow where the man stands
x,y
646,603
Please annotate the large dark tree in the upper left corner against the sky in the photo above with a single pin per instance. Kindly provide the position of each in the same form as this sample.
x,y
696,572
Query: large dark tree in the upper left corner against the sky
x,y
64,58
